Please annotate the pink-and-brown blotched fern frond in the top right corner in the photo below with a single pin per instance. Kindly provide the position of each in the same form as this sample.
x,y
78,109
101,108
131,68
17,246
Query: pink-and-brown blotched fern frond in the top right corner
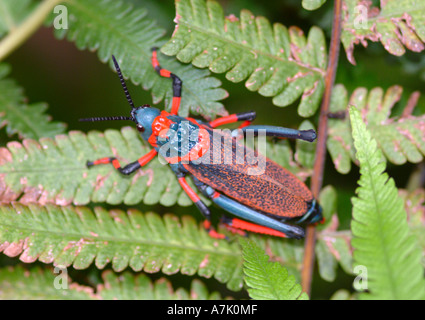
x,y
396,24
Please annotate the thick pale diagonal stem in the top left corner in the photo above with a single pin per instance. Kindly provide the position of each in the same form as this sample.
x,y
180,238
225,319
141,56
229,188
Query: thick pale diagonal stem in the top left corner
x,y
20,34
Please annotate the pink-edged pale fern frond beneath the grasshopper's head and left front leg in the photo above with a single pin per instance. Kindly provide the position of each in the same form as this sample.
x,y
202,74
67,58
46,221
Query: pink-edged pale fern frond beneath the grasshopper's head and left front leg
x,y
54,170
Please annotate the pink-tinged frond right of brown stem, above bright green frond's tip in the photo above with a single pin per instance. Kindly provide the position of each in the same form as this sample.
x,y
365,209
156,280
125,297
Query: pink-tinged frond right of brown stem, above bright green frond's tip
x,y
400,139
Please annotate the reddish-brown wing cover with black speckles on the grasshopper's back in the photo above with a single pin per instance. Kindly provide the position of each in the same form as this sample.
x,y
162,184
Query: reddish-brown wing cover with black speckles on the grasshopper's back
x,y
276,191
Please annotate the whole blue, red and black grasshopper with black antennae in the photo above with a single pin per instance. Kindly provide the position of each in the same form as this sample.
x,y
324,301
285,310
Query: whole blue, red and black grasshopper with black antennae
x,y
273,200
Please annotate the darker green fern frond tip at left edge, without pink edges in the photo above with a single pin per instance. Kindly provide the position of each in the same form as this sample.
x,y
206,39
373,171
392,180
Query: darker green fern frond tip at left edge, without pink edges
x,y
27,120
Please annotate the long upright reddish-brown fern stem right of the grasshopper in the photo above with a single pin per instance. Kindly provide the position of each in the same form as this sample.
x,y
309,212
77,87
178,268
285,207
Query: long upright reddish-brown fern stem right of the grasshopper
x,y
319,164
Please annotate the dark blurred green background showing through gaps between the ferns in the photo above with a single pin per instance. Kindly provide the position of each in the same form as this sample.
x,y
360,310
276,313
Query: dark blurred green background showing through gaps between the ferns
x,y
76,85
